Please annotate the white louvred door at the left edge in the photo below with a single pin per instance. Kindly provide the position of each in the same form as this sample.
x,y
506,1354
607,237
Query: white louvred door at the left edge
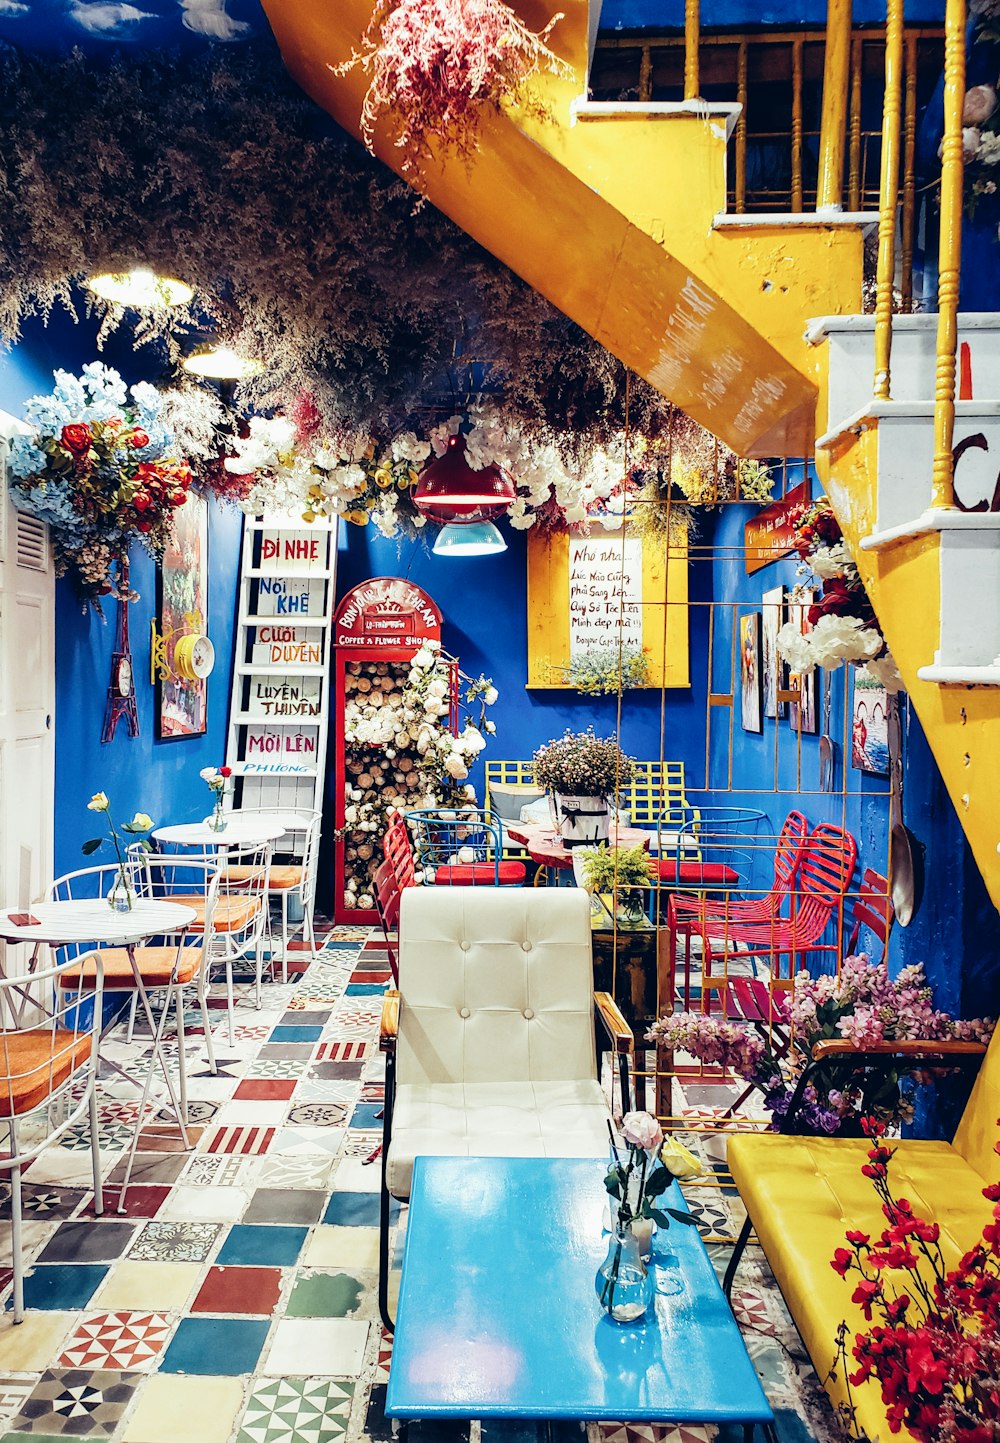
x,y
27,696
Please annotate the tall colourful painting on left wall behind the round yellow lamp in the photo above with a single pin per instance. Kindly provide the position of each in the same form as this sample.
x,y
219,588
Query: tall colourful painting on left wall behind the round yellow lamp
x,y
183,706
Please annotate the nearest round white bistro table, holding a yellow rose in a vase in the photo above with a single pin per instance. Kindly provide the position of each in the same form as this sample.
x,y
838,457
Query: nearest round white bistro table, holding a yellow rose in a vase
x,y
90,921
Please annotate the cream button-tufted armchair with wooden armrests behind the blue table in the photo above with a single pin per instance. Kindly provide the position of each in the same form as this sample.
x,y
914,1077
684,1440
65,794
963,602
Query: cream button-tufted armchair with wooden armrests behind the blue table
x,y
490,1040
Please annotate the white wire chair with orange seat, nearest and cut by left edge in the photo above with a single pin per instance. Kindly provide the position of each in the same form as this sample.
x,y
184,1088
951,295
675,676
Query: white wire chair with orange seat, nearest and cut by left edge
x,y
48,1048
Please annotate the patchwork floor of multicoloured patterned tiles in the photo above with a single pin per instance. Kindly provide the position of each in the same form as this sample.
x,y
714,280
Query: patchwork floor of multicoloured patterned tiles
x,y
234,1302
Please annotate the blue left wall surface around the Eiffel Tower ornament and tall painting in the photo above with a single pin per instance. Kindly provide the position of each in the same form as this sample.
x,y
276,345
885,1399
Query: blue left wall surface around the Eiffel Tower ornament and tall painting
x,y
138,774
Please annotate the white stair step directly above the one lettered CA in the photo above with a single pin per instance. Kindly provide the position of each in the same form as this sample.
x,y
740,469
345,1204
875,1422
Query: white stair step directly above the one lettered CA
x,y
851,341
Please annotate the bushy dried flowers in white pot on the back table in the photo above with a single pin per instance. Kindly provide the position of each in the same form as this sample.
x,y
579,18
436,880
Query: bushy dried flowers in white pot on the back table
x,y
582,771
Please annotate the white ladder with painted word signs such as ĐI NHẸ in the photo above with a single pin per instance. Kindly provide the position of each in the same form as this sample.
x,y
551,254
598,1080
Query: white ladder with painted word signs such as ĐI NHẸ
x,y
281,703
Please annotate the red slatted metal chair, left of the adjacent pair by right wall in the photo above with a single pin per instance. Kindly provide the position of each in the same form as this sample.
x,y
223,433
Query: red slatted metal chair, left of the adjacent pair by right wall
x,y
690,917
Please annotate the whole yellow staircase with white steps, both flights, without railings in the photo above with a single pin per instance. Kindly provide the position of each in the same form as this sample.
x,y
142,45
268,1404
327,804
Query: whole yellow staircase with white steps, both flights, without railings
x,y
617,216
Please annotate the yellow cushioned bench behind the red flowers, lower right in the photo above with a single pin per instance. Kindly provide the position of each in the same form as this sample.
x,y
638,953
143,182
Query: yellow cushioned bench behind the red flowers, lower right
x,y
802,1194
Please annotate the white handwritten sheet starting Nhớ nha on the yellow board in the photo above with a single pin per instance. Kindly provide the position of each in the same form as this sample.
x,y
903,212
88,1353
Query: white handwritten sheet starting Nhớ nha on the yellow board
x,y
605,594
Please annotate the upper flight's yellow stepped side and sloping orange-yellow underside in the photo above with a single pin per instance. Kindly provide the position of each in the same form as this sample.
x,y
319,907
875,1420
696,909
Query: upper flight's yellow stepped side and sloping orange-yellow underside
x,y
611,219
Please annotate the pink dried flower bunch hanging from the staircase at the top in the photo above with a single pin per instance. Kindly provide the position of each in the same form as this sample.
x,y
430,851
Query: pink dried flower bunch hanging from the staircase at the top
x,y
438,64
